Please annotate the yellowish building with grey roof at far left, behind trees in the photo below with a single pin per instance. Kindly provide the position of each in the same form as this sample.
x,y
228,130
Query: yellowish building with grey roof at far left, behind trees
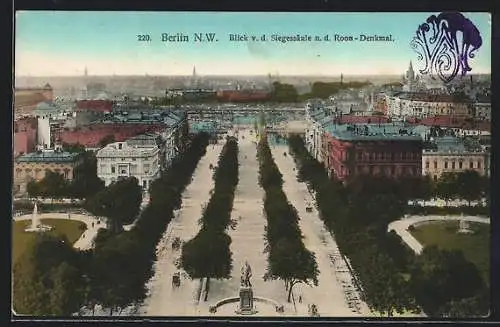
x,y
34,165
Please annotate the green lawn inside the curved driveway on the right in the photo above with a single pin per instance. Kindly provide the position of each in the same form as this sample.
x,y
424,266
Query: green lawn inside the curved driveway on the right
x,y
475,247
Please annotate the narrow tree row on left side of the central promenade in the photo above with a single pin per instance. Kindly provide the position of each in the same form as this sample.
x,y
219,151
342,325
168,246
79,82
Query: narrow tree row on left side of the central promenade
x,y
208,254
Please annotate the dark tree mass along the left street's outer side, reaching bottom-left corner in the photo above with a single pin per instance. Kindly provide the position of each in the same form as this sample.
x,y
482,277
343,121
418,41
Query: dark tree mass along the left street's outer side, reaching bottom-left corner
x,y
115,272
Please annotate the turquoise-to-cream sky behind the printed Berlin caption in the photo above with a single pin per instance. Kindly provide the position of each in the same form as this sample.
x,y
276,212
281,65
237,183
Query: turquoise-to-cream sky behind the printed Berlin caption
x,y
63,43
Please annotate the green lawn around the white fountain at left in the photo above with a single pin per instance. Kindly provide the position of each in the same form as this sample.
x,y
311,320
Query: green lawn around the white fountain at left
x,y
22,239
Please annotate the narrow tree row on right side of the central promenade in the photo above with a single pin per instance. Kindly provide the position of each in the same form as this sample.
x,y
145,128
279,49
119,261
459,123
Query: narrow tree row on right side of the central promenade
x,y
288,258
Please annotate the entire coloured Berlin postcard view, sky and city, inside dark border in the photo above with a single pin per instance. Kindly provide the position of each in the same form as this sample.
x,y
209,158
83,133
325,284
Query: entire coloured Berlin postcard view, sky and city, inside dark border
x,y
275,180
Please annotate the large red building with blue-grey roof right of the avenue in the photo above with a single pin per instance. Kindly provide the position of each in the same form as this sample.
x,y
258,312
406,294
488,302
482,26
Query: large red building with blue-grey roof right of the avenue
x,y
374,149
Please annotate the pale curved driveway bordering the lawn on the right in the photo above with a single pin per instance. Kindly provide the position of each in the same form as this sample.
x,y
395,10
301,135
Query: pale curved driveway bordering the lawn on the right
x,y
401,227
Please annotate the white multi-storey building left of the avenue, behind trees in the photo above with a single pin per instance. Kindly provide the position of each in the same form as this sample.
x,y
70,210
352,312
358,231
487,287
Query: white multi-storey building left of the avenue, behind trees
x,y
121,159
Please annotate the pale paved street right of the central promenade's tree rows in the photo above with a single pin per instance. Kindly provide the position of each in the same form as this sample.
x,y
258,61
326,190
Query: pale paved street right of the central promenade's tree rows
x,y
335,287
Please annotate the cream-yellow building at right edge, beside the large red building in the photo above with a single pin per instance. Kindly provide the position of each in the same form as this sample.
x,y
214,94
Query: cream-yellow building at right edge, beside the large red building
x,y
451,155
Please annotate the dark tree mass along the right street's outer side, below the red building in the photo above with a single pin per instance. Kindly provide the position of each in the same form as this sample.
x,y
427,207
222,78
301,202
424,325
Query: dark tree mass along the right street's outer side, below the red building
x,y
393,279
